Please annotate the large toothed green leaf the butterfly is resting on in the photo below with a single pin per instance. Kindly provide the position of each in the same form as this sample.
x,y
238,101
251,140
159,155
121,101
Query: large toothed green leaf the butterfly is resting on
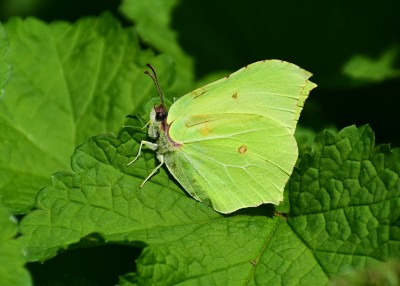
x,y
344,213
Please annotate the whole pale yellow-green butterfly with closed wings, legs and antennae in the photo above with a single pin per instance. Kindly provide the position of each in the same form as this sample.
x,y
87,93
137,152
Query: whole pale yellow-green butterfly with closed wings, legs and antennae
x,y
230,143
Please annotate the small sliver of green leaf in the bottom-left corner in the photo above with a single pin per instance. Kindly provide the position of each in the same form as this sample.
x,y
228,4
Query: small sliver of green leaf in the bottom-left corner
x,y
12,260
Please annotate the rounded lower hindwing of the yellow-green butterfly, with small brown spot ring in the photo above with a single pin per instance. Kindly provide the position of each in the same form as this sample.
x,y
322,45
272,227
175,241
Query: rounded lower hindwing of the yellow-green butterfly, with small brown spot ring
x,y
232,161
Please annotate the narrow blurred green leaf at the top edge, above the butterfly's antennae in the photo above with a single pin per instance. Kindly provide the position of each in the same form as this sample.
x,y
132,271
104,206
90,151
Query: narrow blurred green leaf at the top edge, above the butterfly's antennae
x,y
154,29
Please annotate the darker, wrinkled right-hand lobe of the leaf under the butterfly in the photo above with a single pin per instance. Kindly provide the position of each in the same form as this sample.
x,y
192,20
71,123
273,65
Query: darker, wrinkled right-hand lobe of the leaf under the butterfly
x,y
344,201
